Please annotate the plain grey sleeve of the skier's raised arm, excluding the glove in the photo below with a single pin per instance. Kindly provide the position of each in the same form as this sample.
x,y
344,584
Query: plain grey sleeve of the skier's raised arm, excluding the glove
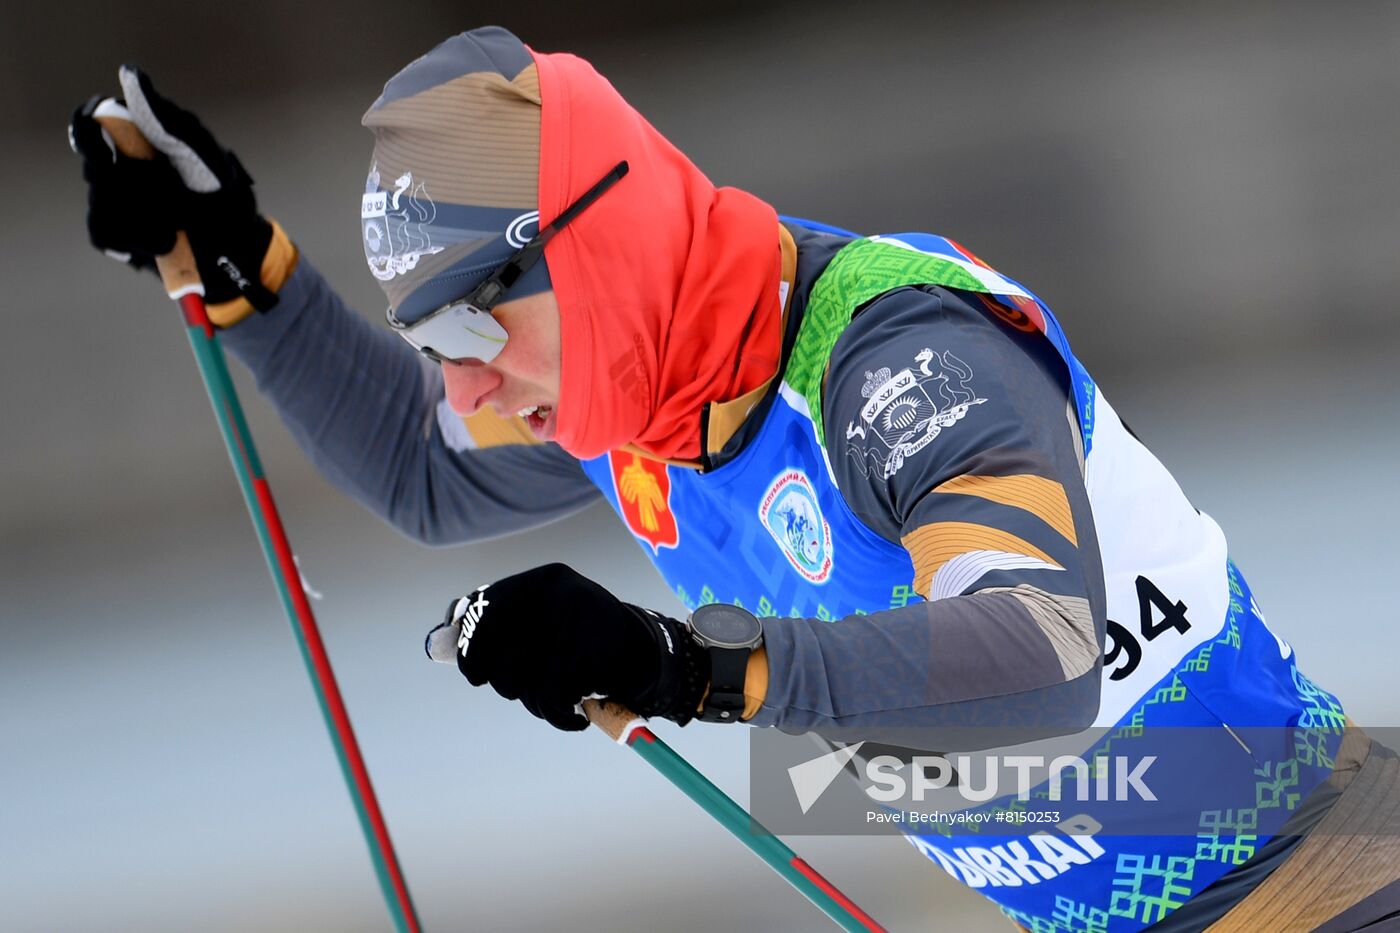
x,y
370,415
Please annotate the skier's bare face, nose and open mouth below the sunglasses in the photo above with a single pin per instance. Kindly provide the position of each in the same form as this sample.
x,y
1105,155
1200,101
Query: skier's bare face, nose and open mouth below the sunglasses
x,y
524,376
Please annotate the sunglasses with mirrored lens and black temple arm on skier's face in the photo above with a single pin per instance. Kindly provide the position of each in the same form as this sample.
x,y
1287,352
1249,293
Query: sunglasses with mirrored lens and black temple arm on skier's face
x,y
465,329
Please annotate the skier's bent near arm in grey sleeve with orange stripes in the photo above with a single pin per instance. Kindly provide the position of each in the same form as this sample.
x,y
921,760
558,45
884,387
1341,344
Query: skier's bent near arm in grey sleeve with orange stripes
x,y
995,516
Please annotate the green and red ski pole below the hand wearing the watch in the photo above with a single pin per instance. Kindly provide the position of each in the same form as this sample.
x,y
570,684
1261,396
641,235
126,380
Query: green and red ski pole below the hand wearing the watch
x,y
628,729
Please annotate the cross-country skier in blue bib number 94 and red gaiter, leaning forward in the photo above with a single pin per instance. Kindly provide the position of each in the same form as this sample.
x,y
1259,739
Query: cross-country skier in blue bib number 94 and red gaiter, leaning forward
x,y
880,453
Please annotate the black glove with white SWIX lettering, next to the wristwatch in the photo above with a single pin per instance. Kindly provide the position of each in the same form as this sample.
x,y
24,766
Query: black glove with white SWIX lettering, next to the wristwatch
x,y
552,638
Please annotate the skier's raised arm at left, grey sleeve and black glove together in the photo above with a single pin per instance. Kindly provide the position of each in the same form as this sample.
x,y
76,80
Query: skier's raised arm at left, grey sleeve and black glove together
x,y
359,401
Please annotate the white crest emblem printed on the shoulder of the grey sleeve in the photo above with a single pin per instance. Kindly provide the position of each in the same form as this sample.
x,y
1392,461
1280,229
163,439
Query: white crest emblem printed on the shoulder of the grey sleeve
x,y
908,410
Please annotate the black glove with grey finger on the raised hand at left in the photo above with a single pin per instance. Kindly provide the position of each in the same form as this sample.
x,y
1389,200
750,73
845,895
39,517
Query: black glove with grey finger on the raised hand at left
x,y
135,207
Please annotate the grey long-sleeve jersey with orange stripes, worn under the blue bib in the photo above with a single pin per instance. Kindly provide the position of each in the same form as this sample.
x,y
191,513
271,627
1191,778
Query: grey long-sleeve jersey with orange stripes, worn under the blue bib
x,y
1020,641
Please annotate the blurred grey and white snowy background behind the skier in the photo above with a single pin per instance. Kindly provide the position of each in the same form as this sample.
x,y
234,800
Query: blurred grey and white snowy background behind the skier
x,y
1205,193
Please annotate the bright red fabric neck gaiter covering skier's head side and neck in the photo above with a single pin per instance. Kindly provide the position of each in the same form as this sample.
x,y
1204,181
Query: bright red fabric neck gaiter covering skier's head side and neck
x,y
667,286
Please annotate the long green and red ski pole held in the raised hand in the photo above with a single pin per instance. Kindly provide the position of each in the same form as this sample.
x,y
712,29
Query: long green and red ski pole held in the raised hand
x,y
180,275
